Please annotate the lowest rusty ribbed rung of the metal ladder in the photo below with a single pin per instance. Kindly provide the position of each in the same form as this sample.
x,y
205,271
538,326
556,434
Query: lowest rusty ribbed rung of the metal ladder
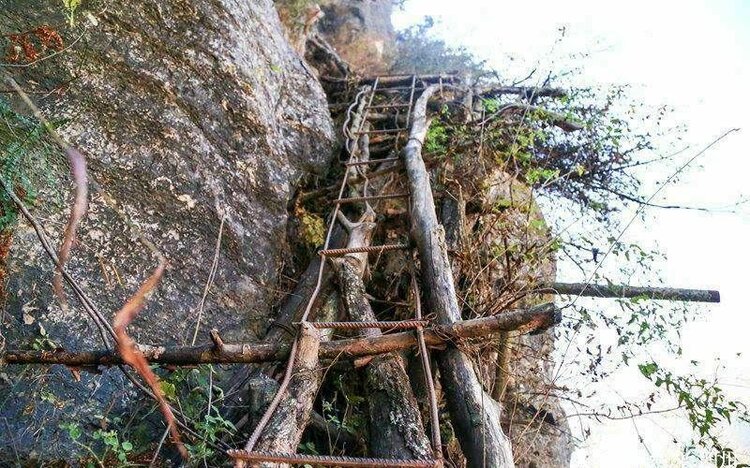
x,y
327,460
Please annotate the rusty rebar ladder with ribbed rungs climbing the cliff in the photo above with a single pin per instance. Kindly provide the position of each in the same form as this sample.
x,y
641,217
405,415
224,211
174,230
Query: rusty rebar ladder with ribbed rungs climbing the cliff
x,y
417,323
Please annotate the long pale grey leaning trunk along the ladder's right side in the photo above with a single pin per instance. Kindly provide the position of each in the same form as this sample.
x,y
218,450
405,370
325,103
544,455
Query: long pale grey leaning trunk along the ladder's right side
x,y
475,415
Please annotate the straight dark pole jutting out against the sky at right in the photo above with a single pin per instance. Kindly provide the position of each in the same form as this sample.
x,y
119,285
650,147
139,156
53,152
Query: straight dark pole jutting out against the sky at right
x,y
624,291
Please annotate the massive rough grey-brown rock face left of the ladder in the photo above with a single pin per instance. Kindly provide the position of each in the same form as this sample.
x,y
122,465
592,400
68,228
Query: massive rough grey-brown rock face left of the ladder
x,y
189,112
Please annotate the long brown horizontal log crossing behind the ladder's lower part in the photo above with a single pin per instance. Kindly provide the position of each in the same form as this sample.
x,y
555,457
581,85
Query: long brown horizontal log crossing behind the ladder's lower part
x,y
525,321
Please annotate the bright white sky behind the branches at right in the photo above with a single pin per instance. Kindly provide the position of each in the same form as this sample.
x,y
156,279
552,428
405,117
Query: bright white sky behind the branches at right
x,y
695,57
